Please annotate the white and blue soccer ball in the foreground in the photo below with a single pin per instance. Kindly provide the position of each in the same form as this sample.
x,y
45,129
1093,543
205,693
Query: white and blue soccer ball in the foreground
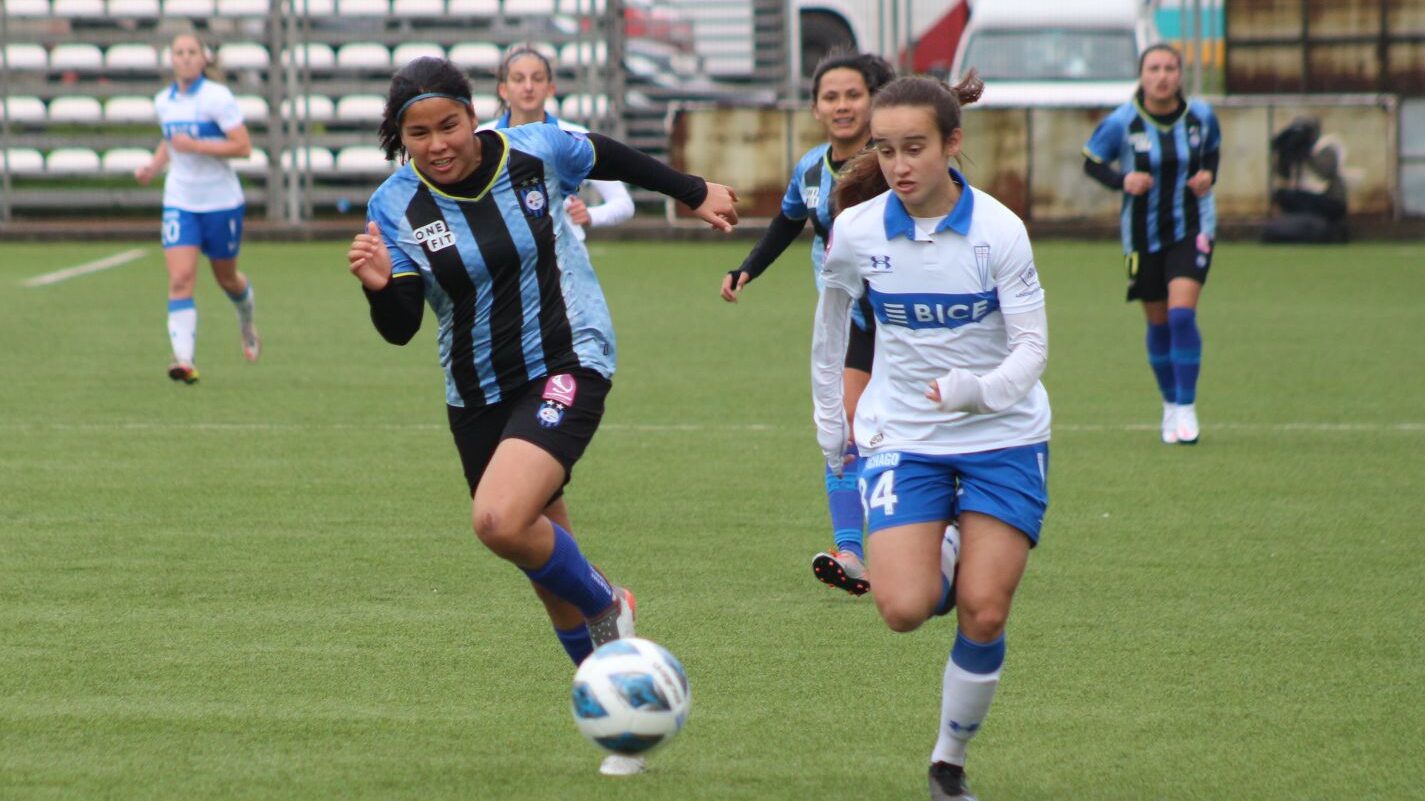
x,y
631,696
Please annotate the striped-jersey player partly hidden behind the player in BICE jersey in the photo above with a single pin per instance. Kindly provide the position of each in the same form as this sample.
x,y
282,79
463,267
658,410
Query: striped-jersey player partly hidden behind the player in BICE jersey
x,y
843,86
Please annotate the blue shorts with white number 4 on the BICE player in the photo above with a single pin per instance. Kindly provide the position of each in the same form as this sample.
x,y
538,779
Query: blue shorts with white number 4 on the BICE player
x,y
1011,485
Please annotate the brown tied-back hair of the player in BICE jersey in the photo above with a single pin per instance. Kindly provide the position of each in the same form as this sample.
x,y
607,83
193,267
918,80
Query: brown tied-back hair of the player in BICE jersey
x,y
861,179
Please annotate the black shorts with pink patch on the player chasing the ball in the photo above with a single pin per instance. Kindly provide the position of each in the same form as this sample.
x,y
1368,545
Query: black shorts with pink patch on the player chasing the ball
x,y
559,414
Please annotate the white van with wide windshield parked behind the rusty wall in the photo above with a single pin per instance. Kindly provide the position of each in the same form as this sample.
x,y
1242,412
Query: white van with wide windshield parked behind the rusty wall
x,y
1057,52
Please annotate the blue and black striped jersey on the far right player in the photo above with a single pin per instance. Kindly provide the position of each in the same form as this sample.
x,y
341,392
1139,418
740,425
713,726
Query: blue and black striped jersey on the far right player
x,y
1171,153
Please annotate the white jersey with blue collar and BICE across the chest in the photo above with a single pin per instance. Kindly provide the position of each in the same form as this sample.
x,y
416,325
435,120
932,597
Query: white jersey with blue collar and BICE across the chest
x,y
940,301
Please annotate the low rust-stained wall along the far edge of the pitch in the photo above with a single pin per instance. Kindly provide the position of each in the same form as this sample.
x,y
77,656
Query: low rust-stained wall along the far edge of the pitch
x,y
1032,159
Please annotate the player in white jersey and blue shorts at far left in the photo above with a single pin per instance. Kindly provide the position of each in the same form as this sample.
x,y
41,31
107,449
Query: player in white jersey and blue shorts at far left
x,y
203,200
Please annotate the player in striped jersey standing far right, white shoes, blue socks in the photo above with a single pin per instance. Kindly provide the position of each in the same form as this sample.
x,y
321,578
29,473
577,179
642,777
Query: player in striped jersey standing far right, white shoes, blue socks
x,y
1168,149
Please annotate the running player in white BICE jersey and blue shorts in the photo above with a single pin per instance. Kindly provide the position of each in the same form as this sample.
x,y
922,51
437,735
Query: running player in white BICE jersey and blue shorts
x,y
954,415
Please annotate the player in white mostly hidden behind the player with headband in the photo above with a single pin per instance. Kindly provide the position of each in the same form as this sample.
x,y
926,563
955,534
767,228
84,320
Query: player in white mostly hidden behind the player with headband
x,y
527,81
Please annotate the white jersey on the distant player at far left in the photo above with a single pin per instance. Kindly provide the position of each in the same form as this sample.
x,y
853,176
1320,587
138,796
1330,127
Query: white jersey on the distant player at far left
x,y
204,112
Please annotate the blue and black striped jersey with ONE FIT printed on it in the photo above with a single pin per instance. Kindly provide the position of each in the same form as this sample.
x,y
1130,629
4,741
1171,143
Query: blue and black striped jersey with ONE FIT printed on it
x,y
512,287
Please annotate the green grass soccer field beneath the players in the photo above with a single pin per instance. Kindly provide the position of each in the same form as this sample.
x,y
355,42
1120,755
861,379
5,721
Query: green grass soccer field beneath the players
x,y
266,586
